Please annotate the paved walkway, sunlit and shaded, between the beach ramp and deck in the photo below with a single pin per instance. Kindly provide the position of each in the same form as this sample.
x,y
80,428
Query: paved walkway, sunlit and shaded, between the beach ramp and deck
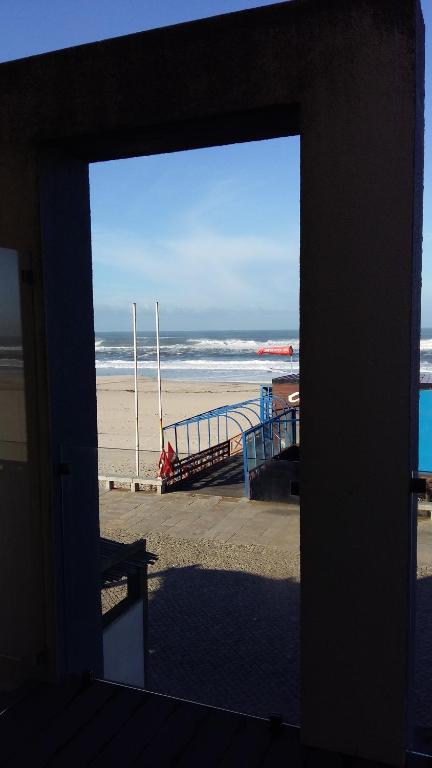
x,y
225,599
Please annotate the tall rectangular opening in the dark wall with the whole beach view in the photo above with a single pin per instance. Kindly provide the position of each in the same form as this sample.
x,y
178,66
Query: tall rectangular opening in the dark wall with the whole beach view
x,y
213,235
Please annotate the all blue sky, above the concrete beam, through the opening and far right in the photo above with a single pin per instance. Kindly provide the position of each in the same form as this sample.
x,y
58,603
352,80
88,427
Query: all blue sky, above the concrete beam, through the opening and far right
x,y
213,234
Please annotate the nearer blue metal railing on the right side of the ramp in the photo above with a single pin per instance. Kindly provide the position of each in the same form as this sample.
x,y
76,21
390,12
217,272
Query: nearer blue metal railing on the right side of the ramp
x,y
264,441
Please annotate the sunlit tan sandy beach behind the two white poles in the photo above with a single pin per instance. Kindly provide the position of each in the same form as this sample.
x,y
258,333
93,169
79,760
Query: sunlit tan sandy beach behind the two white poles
x,y
180,399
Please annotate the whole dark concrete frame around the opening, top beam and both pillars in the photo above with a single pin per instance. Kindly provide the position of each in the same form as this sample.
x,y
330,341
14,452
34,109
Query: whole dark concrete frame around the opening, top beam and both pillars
x,y
347,75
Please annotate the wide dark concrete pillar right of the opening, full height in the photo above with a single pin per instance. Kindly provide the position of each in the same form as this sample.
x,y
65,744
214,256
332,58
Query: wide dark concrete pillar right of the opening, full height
x,y
359,289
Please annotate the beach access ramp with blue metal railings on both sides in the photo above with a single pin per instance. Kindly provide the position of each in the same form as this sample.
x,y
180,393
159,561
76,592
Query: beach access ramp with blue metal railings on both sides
x,y
241,441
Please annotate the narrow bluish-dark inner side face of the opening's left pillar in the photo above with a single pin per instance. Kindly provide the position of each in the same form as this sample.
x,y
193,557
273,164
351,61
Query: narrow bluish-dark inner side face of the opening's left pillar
x,y
68,299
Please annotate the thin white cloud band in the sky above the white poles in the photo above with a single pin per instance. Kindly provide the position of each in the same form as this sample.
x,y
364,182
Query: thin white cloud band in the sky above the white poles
x,y
202,269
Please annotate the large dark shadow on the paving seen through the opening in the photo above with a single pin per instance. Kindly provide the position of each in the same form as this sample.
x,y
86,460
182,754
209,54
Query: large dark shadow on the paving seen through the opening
x,y
225,638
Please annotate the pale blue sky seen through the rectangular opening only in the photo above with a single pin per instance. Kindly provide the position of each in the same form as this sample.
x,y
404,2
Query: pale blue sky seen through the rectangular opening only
x,y
213,234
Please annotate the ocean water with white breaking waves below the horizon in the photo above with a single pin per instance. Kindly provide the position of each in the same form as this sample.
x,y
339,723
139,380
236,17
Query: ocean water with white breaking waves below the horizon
x,y
209,355
